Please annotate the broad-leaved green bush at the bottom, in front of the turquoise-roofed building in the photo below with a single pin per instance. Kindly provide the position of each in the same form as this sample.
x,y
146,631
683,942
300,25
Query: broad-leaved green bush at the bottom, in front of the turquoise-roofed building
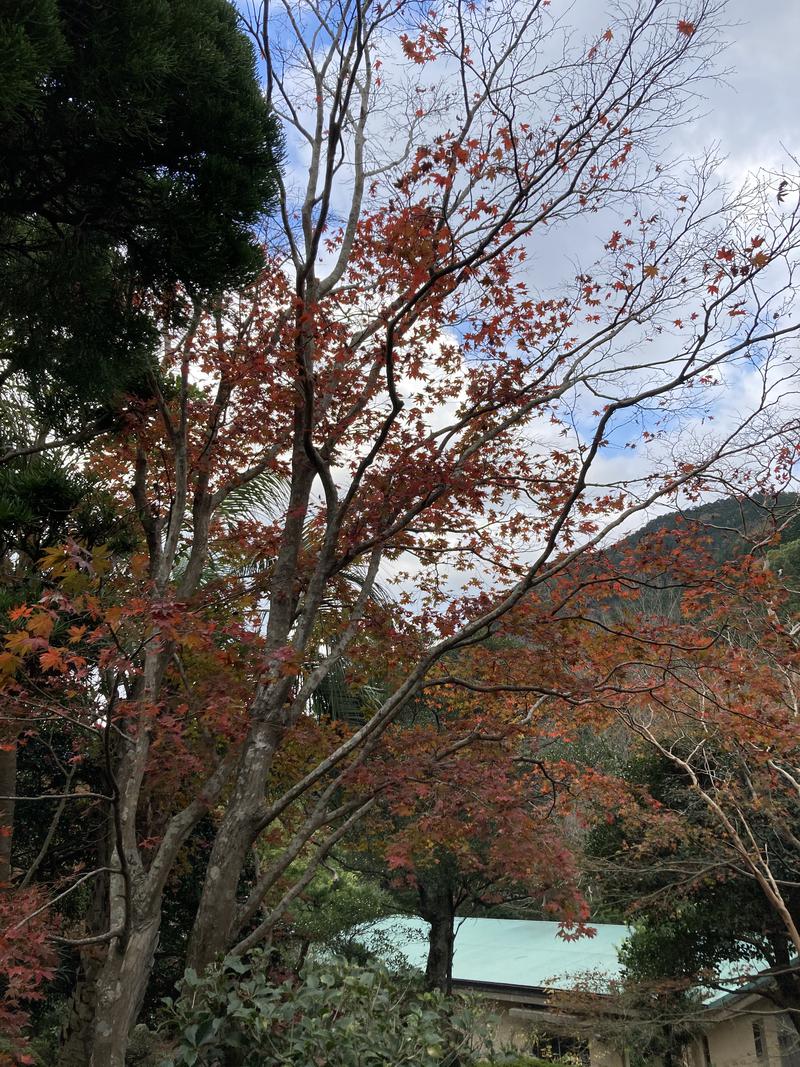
x,y
338,1015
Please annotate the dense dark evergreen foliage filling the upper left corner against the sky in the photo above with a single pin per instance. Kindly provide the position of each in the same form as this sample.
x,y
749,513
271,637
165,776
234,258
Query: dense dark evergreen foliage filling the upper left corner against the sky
x,y
138,155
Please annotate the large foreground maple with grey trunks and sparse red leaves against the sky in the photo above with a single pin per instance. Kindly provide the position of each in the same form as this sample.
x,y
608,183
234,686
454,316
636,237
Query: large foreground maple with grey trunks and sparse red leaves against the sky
x,y
393,394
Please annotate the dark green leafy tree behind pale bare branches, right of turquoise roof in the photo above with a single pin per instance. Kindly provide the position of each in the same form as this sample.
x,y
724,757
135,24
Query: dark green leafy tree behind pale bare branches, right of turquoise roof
x,y
700,921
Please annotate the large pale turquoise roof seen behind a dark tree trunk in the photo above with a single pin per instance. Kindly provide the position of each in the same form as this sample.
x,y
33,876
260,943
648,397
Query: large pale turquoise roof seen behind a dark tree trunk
x,y
510,952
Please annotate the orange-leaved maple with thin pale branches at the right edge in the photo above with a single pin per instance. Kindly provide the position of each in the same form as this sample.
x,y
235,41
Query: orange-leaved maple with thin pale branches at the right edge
x,y
727,726
